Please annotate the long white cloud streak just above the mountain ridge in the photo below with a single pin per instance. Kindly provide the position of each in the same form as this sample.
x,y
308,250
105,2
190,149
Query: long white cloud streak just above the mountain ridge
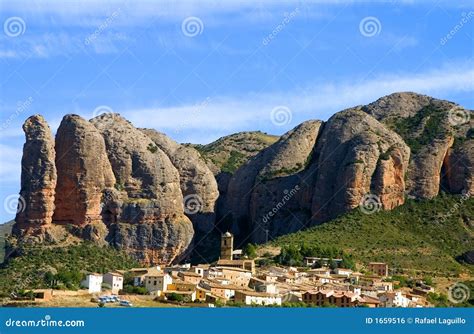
x,y
320,101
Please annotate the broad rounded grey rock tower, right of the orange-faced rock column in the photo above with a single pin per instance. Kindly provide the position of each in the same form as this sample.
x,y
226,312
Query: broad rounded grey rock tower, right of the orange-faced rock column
x,y
145,210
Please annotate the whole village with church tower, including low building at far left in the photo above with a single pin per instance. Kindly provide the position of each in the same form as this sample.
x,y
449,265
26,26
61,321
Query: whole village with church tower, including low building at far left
x,y
235,280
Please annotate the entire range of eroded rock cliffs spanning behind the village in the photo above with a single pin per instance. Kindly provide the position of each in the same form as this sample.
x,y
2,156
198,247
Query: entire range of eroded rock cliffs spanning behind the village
x,y
140,191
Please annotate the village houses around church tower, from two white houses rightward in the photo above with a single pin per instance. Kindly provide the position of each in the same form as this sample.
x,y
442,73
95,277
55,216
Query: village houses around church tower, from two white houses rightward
x,y
236,279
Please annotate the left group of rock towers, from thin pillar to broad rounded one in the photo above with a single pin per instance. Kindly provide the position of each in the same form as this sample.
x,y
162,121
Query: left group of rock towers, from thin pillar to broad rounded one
x,y
114,186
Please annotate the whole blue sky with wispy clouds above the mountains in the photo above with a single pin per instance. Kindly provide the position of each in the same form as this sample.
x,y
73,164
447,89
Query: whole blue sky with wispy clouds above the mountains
x,y
244,63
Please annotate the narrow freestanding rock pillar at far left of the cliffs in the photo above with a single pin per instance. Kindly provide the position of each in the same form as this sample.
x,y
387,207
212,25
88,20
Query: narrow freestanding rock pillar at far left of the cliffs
x,y
38,180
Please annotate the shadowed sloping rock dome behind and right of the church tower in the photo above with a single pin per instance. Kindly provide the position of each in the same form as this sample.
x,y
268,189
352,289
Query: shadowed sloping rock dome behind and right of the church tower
x,y
267,180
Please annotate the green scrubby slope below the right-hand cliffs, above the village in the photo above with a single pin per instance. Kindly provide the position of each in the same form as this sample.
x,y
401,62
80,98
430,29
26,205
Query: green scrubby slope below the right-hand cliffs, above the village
x,y
412,236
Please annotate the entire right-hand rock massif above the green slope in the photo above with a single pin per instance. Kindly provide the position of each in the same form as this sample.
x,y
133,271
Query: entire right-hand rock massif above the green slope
x,y
404,144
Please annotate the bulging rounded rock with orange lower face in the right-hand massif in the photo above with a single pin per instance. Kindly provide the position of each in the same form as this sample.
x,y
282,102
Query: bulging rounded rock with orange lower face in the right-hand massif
x,y
357,155
